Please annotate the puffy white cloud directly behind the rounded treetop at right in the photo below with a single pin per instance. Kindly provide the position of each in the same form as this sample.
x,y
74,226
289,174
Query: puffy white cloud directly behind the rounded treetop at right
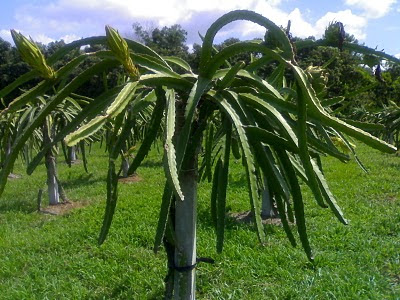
x,y
353,24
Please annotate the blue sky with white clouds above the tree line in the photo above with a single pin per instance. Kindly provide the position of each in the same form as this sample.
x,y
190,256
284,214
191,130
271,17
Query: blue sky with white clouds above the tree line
x,y
373,22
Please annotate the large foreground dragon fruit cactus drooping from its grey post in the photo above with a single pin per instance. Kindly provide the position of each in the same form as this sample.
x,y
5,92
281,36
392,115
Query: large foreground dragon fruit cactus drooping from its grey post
x,y
278,126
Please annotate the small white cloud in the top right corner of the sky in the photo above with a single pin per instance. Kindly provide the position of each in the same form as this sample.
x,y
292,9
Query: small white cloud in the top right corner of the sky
x,y
372,8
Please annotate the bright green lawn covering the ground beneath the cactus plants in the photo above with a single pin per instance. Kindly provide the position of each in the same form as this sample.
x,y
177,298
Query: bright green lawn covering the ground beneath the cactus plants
x,y
57,257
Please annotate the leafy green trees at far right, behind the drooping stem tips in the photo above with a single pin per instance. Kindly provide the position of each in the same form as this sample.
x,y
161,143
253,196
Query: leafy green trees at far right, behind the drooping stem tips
x,y
364,91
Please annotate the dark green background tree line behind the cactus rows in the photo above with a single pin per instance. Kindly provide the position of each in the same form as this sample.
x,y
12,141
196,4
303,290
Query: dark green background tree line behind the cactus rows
x,y
368,84
